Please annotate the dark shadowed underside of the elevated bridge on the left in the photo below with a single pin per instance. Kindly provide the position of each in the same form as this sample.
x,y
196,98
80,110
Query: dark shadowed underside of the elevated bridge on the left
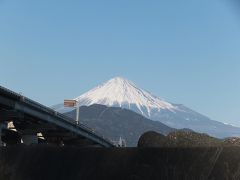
x,y
17,128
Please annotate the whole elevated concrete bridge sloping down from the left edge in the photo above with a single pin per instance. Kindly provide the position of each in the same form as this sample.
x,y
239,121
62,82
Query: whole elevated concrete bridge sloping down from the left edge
x,y
23,120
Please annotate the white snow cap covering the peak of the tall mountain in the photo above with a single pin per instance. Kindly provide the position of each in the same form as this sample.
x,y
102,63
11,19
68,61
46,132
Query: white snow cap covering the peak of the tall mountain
x,y
123,93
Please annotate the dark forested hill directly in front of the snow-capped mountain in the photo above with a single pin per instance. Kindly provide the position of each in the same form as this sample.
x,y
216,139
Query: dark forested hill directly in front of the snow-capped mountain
x,y
114,122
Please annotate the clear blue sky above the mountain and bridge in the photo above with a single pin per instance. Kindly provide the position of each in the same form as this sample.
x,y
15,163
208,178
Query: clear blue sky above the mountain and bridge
x,y
183,51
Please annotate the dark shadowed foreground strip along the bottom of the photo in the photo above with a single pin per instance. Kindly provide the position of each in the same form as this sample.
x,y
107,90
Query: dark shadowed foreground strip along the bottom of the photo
x,y
54,163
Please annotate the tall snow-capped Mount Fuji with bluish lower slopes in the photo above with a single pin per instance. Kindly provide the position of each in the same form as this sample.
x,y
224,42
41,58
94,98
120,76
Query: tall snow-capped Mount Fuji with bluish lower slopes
x,y
119,92
